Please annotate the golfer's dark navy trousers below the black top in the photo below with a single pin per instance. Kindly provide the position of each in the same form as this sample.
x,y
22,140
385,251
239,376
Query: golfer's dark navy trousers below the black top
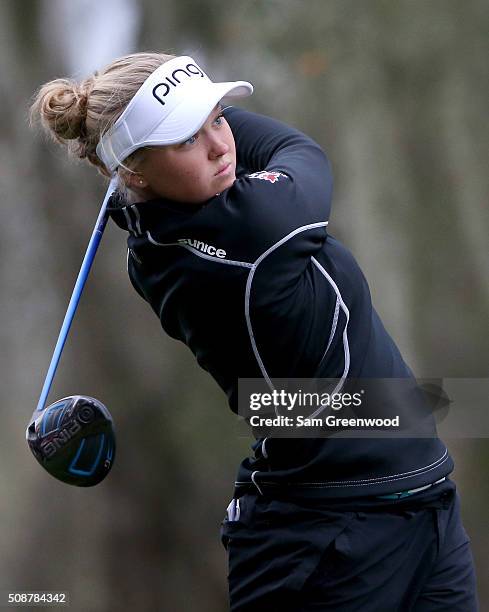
x,y
297,557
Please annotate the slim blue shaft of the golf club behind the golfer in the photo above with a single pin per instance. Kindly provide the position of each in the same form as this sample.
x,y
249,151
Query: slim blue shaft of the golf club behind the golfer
x,y
77,290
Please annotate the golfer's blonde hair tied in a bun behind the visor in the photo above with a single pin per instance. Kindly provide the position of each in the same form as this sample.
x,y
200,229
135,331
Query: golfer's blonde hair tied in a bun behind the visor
x,y
77,114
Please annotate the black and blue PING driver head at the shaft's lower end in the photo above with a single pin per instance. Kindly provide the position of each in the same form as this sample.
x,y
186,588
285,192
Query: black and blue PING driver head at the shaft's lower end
x,y
74,440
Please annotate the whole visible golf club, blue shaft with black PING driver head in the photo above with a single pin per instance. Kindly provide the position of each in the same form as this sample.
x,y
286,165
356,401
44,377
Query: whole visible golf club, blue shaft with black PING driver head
x,y
74,439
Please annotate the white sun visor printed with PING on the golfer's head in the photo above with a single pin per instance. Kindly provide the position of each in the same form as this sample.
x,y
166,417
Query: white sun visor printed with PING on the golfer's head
x,y
169,107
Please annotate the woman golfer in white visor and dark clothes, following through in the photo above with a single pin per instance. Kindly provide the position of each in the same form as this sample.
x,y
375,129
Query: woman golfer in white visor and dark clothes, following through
x,y
227,214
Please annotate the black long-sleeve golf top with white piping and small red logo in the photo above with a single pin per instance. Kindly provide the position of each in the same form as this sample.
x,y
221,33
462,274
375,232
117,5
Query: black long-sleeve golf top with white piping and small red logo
x,y
254,284
